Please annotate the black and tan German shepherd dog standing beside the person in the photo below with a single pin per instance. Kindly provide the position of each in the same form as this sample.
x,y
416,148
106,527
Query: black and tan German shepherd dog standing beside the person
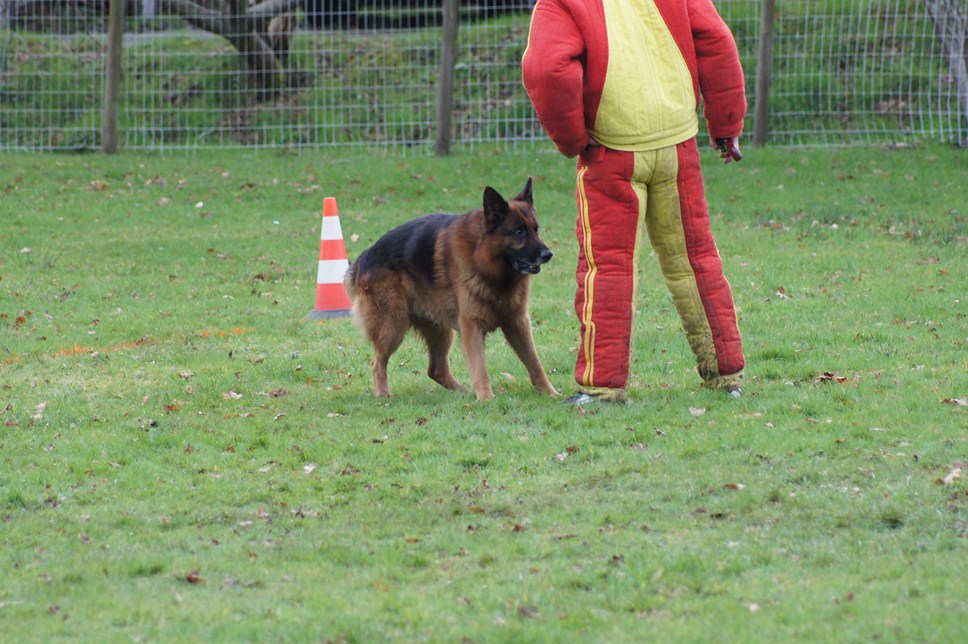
x,y
440,273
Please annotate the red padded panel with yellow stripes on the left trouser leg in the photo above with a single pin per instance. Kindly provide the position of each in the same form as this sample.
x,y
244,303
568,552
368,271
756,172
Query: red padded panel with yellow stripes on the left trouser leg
x,y
608,218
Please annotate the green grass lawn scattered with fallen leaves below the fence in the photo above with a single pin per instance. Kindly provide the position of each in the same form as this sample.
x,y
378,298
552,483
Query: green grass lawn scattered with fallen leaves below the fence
x,y
140,498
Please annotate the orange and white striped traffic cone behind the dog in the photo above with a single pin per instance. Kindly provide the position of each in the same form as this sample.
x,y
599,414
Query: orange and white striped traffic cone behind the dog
x,y
332,300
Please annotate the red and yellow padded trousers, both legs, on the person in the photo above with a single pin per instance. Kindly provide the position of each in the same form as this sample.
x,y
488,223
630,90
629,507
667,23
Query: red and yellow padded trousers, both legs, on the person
x,y
619,192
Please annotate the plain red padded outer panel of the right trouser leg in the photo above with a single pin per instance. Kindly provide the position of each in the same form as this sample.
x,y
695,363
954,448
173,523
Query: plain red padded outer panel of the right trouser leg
x,y
714,290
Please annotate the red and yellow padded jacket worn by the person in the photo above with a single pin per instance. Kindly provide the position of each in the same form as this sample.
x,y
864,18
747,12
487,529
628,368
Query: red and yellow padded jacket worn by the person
x,y
629,73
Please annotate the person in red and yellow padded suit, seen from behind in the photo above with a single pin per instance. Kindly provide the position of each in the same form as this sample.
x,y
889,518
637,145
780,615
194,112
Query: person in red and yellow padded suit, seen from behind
x,y
617,83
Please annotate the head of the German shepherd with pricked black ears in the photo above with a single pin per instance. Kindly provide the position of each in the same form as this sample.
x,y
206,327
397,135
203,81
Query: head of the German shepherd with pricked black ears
x,y
513,226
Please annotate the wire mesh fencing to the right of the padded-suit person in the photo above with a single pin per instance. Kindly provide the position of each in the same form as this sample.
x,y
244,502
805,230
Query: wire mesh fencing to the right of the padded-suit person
x,y
857,71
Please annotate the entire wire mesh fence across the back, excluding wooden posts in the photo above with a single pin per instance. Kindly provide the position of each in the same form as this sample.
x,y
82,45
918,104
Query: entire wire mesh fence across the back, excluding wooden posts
x,y
318,73
